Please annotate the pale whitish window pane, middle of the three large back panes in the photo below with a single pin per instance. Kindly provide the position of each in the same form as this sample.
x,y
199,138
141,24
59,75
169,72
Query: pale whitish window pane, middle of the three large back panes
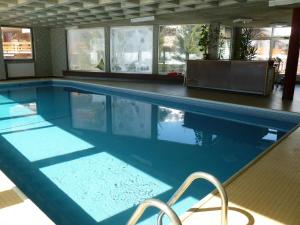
x,y
131,49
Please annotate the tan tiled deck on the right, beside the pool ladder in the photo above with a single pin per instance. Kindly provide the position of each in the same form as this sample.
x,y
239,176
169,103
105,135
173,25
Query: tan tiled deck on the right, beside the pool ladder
x,y
267,193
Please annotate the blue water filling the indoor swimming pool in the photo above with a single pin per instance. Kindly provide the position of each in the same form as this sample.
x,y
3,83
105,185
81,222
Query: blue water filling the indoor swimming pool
x,y
88,156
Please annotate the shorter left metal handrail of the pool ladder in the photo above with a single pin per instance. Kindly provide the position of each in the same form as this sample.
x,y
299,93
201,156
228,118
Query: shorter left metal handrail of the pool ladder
x,y
155,203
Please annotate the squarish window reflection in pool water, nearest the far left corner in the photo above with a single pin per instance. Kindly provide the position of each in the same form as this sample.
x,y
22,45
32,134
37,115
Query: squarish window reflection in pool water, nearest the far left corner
x,y
88,111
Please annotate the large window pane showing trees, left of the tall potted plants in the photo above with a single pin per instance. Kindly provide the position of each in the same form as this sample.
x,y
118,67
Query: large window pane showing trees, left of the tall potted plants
x,y
178,43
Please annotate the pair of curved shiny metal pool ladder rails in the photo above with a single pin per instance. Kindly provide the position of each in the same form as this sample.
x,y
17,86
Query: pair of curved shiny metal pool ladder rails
x,y
166,208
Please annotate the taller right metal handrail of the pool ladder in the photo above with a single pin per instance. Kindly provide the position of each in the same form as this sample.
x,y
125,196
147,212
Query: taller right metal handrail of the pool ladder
x,y
188,182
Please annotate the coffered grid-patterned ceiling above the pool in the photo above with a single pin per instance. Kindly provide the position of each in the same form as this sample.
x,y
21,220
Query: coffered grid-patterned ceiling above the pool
x,y
62,13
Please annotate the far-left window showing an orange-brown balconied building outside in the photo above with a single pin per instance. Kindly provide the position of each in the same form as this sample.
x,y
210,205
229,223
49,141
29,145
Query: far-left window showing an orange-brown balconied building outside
x,y
17,43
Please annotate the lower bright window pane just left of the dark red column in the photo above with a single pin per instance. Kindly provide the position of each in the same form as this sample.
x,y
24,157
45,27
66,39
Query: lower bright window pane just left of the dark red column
x,y
280,50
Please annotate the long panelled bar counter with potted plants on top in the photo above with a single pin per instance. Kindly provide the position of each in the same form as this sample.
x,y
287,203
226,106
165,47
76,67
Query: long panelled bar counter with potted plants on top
x,y
255,77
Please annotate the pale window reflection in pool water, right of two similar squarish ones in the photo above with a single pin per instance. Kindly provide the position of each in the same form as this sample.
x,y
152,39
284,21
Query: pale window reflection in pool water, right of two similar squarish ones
x,y
131,118
